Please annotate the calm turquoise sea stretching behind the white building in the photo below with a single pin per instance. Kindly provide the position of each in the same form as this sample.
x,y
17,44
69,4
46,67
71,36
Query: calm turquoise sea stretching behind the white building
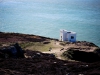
x,y
46,17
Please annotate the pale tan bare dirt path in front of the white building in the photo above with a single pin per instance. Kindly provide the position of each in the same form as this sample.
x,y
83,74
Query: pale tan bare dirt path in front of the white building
x,y
59,49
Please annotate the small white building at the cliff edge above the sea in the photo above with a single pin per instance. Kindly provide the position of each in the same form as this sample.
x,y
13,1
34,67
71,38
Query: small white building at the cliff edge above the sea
x,y
67,36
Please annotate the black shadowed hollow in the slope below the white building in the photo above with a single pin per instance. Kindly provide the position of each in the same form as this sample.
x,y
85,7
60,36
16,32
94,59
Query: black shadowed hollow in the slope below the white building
x,y
81,55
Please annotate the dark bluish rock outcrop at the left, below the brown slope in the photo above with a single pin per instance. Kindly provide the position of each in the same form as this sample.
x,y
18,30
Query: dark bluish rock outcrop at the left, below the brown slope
x,y
14,51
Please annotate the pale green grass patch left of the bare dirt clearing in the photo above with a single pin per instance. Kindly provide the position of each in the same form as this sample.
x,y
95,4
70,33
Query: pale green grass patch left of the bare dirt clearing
x,y
36,46
